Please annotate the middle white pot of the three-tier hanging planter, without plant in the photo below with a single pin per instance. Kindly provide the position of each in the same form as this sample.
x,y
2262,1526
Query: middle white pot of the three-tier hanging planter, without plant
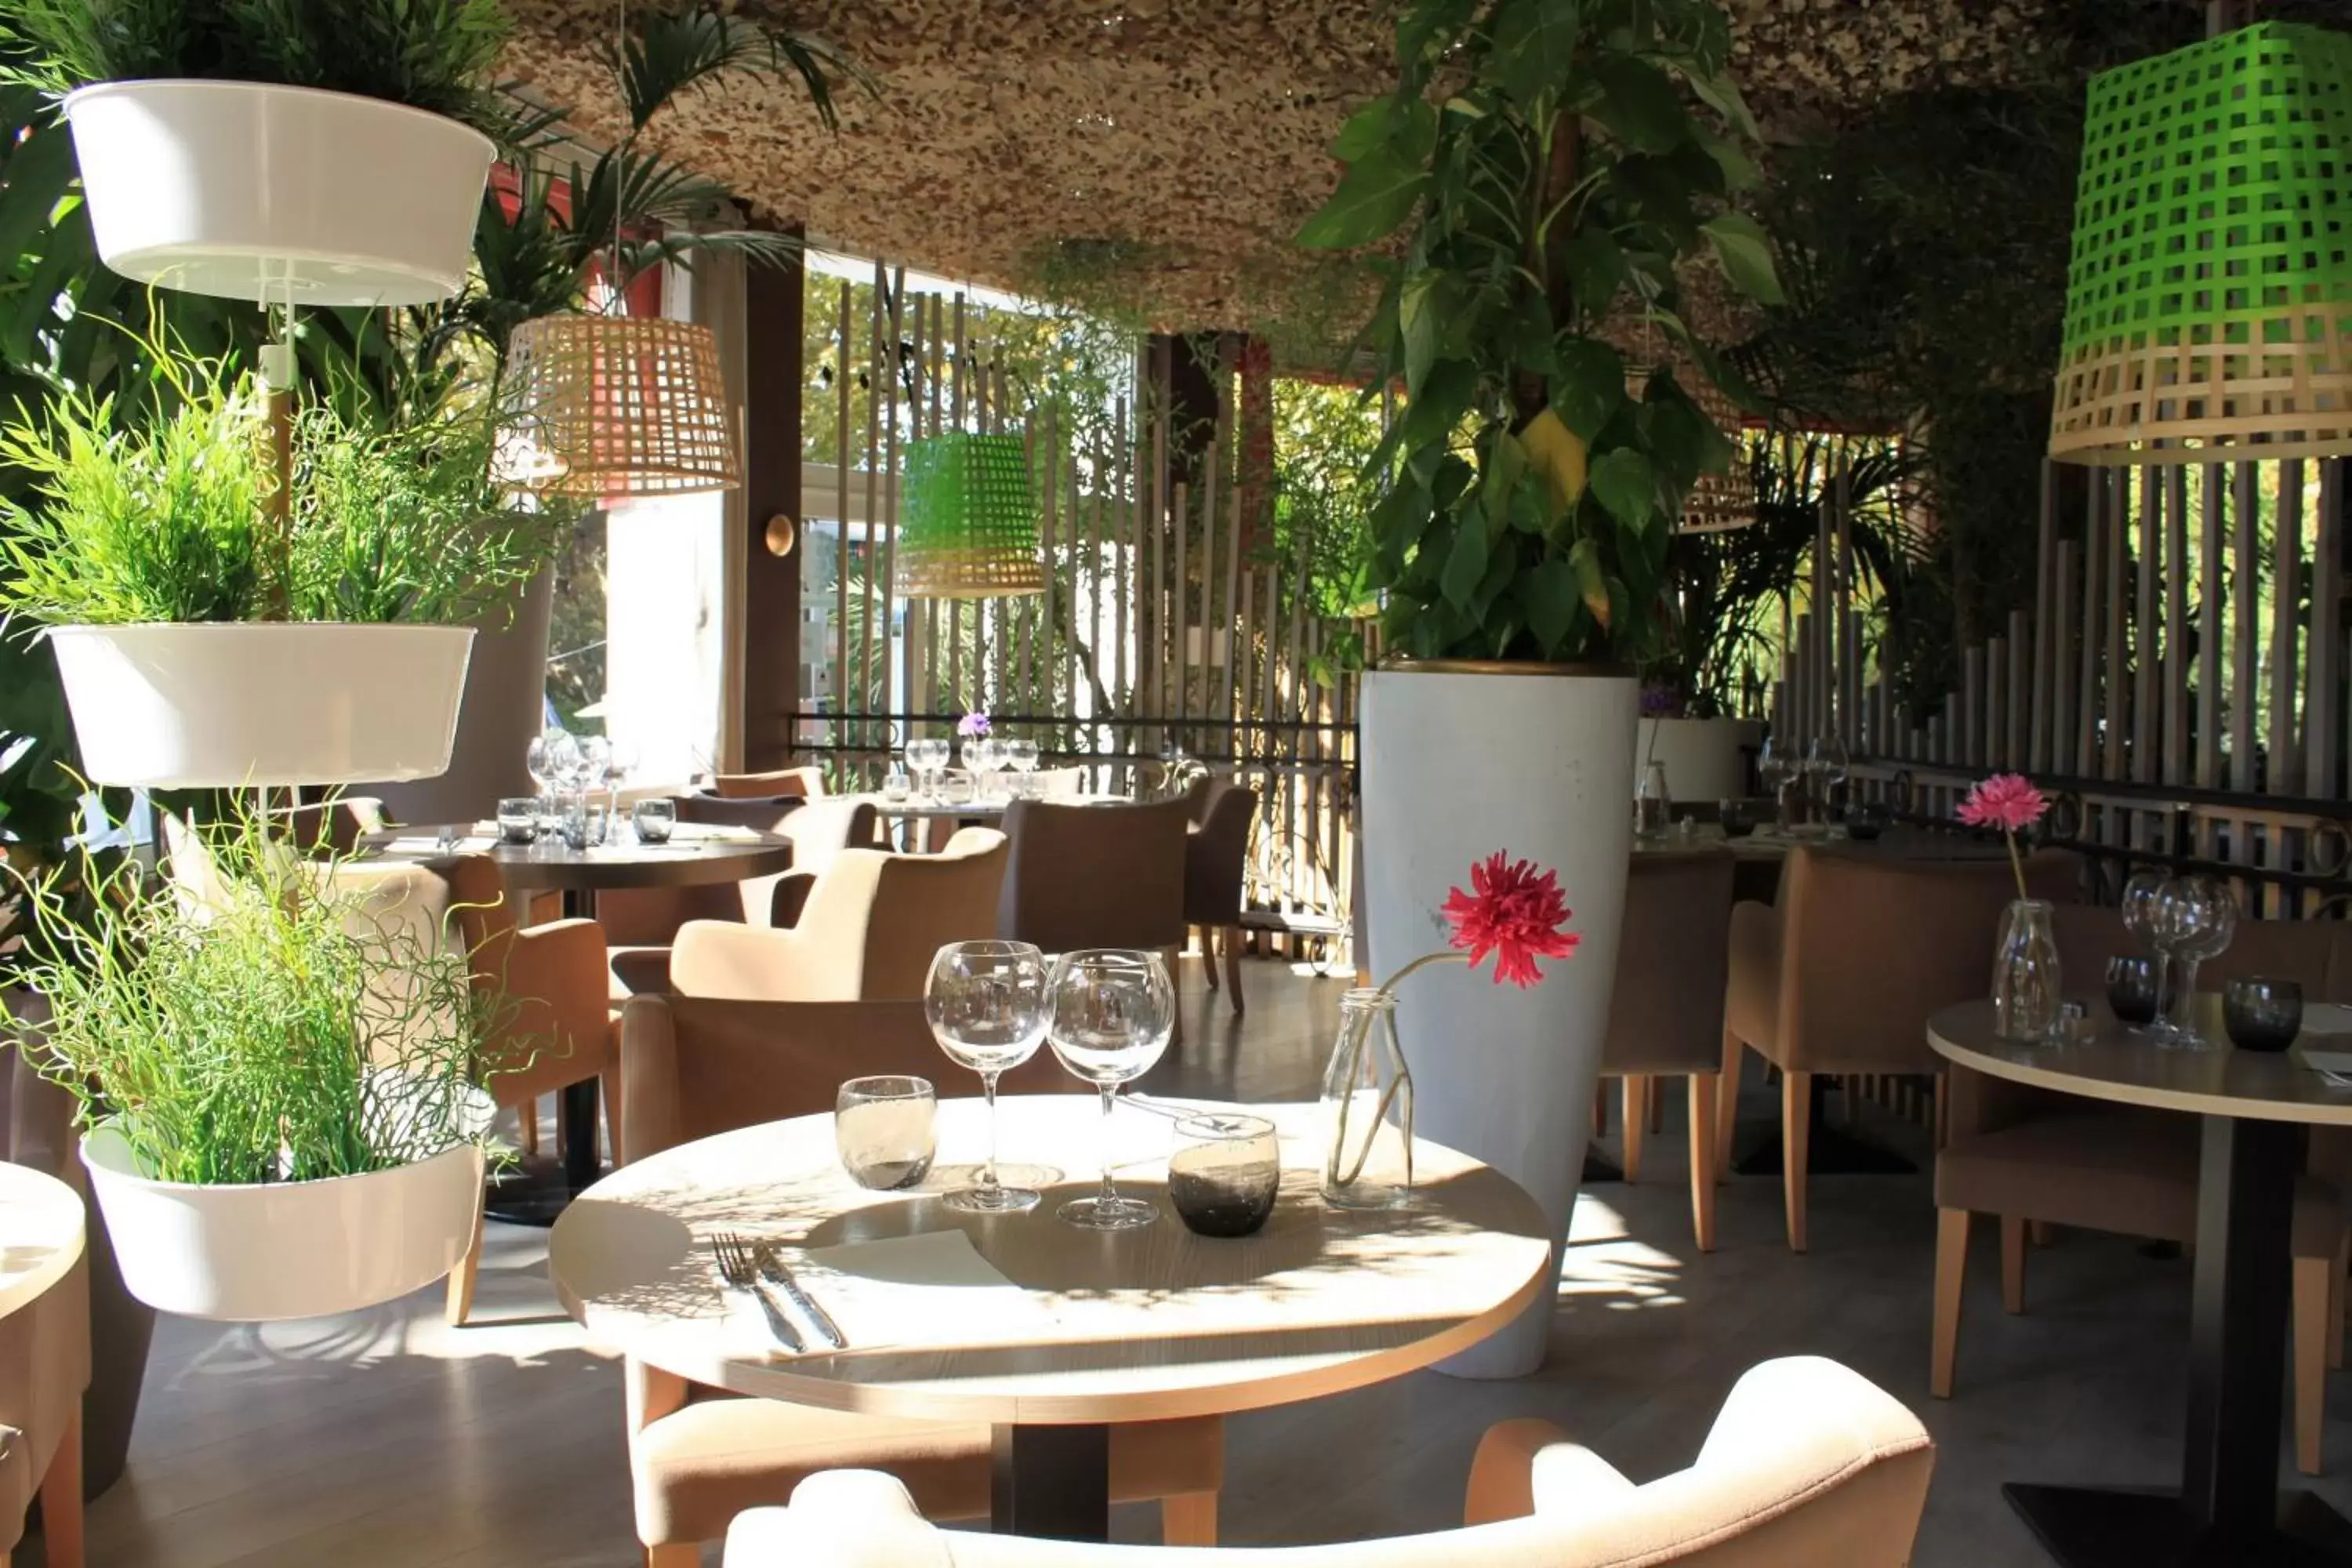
x,y
236,704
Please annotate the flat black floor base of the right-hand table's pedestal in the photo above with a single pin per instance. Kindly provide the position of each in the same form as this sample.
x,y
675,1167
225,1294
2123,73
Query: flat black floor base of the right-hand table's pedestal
x,y
2090,1527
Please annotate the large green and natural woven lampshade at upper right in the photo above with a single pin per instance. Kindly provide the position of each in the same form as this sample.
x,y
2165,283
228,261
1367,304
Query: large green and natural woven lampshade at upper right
x,y
2210,302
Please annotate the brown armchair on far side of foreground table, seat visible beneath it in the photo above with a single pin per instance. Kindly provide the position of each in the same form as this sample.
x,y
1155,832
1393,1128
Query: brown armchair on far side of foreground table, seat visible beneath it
x,y
695,1068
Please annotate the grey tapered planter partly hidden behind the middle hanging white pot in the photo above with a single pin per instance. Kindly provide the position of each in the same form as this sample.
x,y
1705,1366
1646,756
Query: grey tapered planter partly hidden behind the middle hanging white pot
x,y
497,718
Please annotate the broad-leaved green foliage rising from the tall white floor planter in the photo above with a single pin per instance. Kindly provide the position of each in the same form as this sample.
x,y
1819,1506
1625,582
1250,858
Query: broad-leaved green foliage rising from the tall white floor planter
x,y
1539,173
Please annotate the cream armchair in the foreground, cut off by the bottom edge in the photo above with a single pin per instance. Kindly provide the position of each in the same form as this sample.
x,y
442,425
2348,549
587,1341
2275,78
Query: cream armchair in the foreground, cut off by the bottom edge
x,y
1808,1468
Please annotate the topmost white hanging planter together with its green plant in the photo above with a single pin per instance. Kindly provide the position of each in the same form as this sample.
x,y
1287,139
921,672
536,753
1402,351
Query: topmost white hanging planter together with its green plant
x,y
272,152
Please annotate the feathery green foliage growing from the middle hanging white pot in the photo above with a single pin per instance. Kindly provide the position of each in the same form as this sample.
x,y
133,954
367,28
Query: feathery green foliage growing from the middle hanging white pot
x,y
171,521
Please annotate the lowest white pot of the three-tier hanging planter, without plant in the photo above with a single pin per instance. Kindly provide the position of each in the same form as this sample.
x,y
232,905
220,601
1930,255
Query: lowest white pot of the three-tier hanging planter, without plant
x,y
286,1249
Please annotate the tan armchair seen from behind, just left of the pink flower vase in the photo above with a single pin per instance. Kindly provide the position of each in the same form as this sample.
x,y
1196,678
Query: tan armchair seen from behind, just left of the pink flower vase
x,y
1845,972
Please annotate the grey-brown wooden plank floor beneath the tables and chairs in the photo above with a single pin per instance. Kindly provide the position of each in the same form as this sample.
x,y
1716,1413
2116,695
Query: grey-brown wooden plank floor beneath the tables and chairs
x,y
392,1442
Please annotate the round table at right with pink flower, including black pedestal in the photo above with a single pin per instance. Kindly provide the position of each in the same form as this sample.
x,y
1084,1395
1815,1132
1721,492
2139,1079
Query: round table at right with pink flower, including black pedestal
x,y
2229,1508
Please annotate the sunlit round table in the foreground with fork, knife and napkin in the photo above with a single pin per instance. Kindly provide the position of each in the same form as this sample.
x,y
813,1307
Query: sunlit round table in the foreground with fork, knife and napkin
x,y
1078,1329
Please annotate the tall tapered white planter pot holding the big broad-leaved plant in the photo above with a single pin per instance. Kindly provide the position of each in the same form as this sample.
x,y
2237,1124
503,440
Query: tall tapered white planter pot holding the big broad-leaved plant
x,y
1457,768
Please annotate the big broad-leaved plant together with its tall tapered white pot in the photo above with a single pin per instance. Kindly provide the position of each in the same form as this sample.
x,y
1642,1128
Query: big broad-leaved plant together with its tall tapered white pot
x,y
1539,175
